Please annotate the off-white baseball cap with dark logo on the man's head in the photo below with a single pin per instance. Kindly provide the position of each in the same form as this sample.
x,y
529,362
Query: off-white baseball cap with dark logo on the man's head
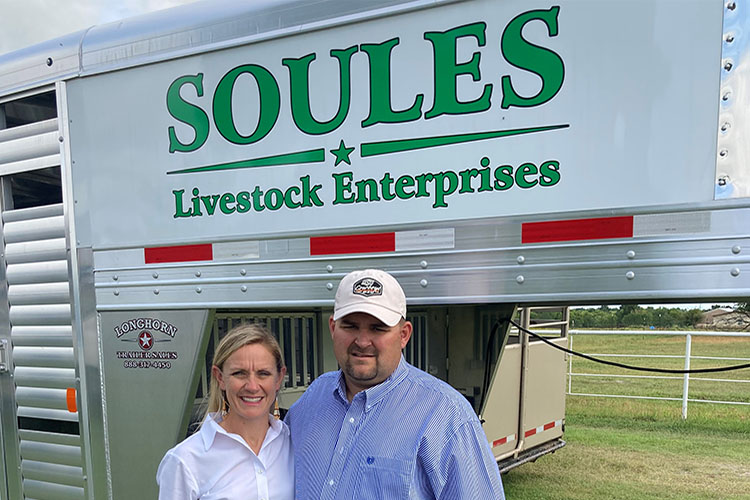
x,y
370,291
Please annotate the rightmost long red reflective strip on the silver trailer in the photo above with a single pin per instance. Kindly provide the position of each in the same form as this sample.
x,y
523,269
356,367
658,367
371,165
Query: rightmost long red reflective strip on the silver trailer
x,y
578,229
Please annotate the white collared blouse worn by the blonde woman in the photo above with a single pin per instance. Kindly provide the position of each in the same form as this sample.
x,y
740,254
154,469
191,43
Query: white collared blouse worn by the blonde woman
x,y
213,464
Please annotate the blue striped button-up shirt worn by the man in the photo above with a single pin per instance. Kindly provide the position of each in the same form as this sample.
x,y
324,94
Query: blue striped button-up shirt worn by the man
x,y
410,437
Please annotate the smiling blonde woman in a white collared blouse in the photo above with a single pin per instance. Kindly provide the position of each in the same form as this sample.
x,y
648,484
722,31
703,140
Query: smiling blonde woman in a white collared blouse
x,y
240,451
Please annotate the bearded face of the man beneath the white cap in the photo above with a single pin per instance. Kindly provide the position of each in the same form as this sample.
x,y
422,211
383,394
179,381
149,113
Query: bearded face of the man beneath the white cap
x,y
367,350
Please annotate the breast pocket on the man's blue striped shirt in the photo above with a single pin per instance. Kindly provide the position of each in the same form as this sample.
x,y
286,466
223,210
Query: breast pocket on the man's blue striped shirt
x,y
386,478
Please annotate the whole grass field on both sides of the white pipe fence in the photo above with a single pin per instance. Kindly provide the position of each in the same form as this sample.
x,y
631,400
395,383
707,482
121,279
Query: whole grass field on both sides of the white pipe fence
x,y
642,449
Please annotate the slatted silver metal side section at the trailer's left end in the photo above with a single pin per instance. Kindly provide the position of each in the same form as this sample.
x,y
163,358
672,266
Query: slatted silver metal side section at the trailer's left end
x,y
40,424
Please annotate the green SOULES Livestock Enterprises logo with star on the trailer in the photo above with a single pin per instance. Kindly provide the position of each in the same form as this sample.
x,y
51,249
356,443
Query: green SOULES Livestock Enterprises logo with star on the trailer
x,y
200,116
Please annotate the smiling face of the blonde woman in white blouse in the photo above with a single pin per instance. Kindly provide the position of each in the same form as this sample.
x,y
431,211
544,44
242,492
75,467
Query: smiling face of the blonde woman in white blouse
x,y
251,381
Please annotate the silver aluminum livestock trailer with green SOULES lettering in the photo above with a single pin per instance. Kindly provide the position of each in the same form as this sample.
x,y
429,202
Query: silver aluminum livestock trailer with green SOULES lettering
x,y
167,176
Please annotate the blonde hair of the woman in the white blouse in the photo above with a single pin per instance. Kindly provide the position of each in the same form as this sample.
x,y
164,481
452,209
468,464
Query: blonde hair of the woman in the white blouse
x,y
240,336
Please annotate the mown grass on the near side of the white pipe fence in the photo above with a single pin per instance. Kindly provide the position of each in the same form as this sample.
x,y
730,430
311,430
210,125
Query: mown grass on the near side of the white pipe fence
x,y
624,449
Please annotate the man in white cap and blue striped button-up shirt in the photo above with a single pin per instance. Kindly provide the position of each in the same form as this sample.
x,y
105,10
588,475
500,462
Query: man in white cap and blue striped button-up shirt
x,y
380,428
